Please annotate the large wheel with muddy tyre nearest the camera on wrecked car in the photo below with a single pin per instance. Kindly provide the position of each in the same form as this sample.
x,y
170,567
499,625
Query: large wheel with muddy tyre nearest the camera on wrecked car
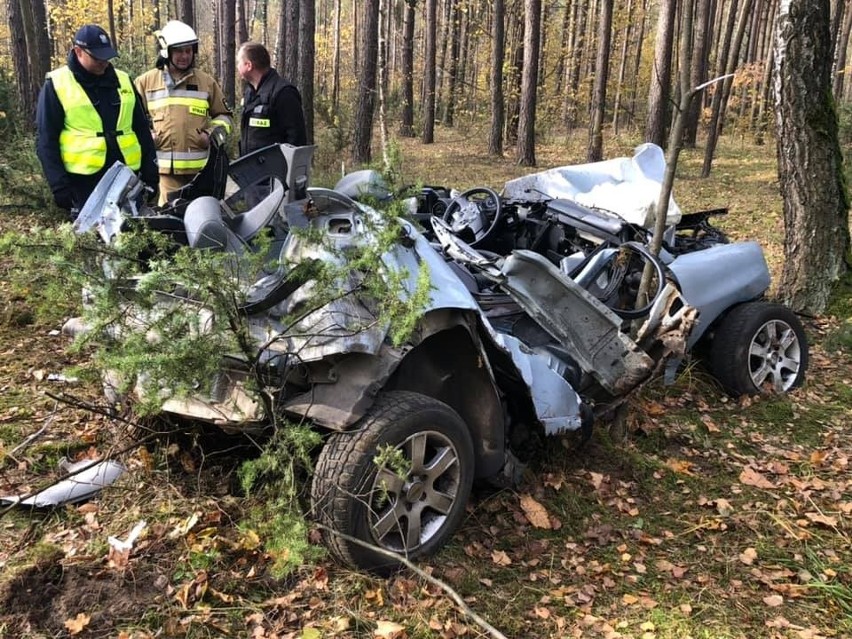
x,y
411,510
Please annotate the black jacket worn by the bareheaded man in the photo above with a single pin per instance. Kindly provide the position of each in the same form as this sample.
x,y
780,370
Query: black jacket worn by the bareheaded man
x,y
272,114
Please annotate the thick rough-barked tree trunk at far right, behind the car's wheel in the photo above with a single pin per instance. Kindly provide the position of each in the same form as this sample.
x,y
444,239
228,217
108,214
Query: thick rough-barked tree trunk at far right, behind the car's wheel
x,y
816,206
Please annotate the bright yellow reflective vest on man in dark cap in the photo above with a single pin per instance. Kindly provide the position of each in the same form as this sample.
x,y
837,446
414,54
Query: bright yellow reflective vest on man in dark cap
x,y
82,142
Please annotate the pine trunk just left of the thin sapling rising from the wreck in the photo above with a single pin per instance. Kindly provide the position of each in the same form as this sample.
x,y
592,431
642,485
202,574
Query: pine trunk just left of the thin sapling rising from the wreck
x,y
661,74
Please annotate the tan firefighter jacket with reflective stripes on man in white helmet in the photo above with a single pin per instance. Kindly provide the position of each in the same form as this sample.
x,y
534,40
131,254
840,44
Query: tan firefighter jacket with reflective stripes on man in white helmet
x,y
180,112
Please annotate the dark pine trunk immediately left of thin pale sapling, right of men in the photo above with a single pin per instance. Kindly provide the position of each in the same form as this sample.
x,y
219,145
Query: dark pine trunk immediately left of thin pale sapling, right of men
x,y
365,107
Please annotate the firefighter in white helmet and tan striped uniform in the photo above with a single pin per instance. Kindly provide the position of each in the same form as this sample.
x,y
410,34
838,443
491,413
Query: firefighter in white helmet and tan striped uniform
x,y
186,106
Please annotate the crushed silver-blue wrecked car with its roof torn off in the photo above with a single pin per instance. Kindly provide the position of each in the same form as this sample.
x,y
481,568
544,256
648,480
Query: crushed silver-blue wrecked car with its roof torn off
x,y
532,326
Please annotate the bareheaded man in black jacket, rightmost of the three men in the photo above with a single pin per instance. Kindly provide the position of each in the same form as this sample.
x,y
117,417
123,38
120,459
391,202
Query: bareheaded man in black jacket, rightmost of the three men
x,y
272,106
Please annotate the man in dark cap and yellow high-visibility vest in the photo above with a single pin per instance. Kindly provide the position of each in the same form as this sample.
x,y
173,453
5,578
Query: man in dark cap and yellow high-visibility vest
x,y
89,116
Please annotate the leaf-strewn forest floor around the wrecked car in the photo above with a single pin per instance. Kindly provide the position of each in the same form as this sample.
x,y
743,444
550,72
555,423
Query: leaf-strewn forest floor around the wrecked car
x,y
703,517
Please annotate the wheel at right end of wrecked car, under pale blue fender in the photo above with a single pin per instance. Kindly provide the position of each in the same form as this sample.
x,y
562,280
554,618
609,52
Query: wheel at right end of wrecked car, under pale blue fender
x,y
759,347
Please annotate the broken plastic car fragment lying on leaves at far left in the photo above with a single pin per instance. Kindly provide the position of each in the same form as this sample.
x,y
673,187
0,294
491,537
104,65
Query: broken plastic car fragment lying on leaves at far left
x,y
89,478
